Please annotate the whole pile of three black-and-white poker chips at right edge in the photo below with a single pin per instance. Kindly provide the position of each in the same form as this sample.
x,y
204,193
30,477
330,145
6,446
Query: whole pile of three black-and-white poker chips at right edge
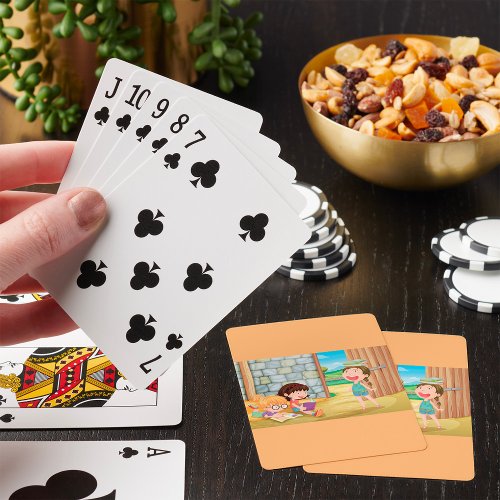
x,y
472,252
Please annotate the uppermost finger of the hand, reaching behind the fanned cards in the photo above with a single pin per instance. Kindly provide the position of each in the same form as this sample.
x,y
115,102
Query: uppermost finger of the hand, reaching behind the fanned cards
x,y
37,162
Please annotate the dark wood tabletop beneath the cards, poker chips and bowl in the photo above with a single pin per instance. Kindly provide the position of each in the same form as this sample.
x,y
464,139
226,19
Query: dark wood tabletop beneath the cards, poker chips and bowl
x,y
396,278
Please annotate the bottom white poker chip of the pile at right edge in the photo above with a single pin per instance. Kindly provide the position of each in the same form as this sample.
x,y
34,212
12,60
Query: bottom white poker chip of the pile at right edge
x,y
476,290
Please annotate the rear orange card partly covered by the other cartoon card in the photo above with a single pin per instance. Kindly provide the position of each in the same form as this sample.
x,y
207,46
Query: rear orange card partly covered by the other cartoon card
x,y
435,374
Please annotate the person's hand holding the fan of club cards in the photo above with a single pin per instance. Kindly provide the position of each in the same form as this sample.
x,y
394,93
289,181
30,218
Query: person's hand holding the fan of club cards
x,y
36,228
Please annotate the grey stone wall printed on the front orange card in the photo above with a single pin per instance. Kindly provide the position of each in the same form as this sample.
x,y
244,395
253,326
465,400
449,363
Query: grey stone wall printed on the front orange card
x,y
265,376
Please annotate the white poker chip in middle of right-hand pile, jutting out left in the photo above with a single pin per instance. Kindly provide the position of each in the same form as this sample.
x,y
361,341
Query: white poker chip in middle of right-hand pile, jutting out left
x,y
448,248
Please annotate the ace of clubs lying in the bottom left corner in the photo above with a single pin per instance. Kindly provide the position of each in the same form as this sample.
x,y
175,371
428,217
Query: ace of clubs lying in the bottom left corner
x,y
97,470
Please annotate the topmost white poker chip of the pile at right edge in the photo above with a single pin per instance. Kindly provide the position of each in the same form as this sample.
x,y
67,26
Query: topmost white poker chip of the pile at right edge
x,y
482,235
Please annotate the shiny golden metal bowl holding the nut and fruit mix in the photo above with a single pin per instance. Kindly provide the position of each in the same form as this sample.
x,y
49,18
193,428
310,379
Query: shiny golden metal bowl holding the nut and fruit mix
x,y
399,164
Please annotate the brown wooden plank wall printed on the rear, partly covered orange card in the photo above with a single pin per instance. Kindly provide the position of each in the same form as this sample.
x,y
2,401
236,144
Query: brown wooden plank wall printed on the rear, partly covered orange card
x,y
454,403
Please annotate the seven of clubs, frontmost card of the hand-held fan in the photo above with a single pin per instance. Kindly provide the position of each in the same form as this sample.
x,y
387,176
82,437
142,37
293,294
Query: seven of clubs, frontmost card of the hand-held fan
x,y
188,238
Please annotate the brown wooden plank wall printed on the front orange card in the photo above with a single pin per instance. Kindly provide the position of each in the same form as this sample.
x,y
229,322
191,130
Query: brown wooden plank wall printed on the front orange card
x,y
386,380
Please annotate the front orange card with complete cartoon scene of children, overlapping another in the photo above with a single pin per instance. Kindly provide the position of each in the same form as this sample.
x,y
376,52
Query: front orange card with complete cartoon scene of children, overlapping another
x,y
318,378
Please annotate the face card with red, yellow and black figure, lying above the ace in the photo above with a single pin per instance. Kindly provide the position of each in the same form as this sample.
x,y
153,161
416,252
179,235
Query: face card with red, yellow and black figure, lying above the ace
x,y
67,382
